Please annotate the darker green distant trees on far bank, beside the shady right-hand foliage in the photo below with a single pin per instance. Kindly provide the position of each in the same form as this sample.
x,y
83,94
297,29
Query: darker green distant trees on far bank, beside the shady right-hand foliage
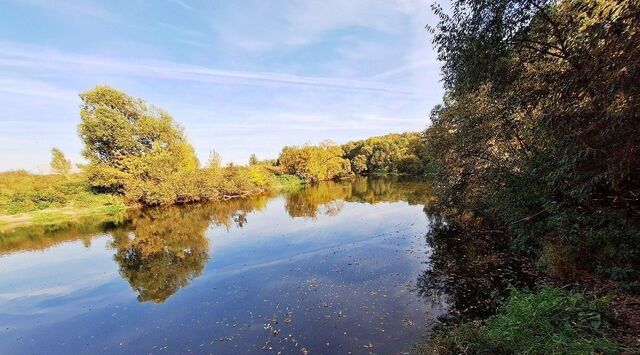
x,y
393,153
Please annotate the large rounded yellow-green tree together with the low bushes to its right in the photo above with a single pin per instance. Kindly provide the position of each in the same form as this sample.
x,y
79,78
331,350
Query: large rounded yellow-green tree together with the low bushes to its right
x,y
140,152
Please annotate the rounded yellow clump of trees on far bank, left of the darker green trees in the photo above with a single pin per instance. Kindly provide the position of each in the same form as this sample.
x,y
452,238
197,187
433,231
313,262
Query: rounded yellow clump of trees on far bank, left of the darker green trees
x,y
315,163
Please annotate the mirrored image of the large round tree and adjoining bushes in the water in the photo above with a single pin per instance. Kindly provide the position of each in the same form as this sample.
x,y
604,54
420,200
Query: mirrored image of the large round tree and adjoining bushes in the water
x,y
167,247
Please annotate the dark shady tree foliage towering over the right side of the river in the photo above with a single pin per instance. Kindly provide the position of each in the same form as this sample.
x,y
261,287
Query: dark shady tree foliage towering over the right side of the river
x,y
537,126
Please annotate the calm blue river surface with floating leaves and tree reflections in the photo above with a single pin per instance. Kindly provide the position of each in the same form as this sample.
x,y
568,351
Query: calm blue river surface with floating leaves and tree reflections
x,y
335,268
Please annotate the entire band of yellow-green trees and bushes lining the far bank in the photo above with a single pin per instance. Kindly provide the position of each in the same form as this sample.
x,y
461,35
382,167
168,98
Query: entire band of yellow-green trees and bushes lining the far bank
x,y
137,155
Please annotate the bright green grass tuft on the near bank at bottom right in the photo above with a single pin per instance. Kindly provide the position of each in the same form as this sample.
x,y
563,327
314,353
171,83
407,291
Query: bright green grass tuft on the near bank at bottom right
x,y
551,321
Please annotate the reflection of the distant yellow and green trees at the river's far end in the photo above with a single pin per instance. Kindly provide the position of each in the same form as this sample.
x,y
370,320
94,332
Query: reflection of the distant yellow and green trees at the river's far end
x,y
327,198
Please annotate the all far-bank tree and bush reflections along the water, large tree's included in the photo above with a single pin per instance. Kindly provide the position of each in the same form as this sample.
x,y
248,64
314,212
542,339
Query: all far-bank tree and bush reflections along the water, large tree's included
x,y
161,250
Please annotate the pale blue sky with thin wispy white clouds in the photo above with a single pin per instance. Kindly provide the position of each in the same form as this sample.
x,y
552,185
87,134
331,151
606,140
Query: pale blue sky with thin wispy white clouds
x,y
241,77
